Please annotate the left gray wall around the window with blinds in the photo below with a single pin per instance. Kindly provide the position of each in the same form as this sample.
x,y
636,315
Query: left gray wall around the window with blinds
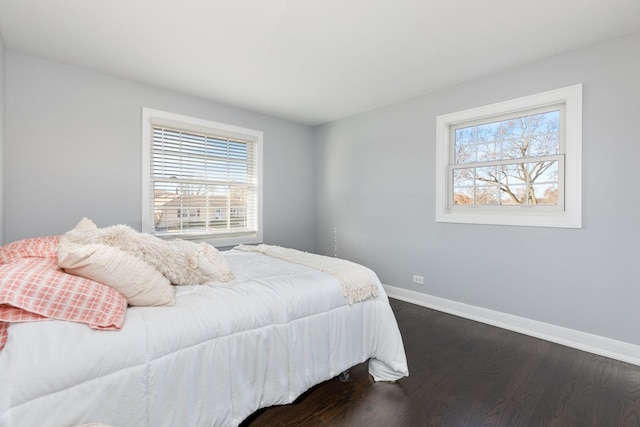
x,y
73,149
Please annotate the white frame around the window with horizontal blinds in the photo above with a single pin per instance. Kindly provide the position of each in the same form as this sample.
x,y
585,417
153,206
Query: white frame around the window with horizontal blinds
x,y
152,118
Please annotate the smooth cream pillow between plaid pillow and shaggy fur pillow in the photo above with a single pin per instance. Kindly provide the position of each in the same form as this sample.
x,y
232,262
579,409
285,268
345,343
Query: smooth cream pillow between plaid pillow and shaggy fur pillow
x,y
142,284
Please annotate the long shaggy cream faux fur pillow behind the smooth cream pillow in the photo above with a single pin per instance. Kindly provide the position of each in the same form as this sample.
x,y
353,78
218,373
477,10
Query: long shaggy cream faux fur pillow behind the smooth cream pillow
x,y
176,266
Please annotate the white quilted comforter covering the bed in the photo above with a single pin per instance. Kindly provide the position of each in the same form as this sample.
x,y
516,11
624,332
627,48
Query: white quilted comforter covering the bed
x,y
224,351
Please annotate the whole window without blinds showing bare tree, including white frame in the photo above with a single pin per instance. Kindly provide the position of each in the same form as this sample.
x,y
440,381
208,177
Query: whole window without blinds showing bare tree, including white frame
x,y
512,163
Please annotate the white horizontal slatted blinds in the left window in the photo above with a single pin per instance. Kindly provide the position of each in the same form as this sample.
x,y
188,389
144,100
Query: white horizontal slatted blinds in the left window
x,y
203,184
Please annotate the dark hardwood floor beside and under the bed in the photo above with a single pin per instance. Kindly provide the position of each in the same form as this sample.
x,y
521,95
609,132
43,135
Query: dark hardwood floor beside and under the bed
x,y
465,373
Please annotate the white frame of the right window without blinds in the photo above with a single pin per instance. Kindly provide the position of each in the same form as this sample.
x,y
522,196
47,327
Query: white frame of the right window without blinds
x,y
569,215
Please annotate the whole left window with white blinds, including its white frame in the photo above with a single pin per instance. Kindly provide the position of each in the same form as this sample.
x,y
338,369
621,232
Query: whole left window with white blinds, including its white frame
x,y
201,180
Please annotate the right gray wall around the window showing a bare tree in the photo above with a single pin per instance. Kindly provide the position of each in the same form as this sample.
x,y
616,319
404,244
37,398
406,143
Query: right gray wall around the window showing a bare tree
x,y
375,177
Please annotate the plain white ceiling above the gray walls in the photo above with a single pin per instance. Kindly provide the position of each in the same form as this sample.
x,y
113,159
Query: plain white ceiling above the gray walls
x,y
311,61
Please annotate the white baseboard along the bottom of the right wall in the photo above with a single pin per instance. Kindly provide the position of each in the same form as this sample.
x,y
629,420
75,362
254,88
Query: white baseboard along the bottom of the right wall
x,y
602,346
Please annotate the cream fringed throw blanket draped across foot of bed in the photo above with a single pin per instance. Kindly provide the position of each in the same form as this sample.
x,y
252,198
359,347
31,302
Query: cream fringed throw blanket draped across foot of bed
x,y
358,282
